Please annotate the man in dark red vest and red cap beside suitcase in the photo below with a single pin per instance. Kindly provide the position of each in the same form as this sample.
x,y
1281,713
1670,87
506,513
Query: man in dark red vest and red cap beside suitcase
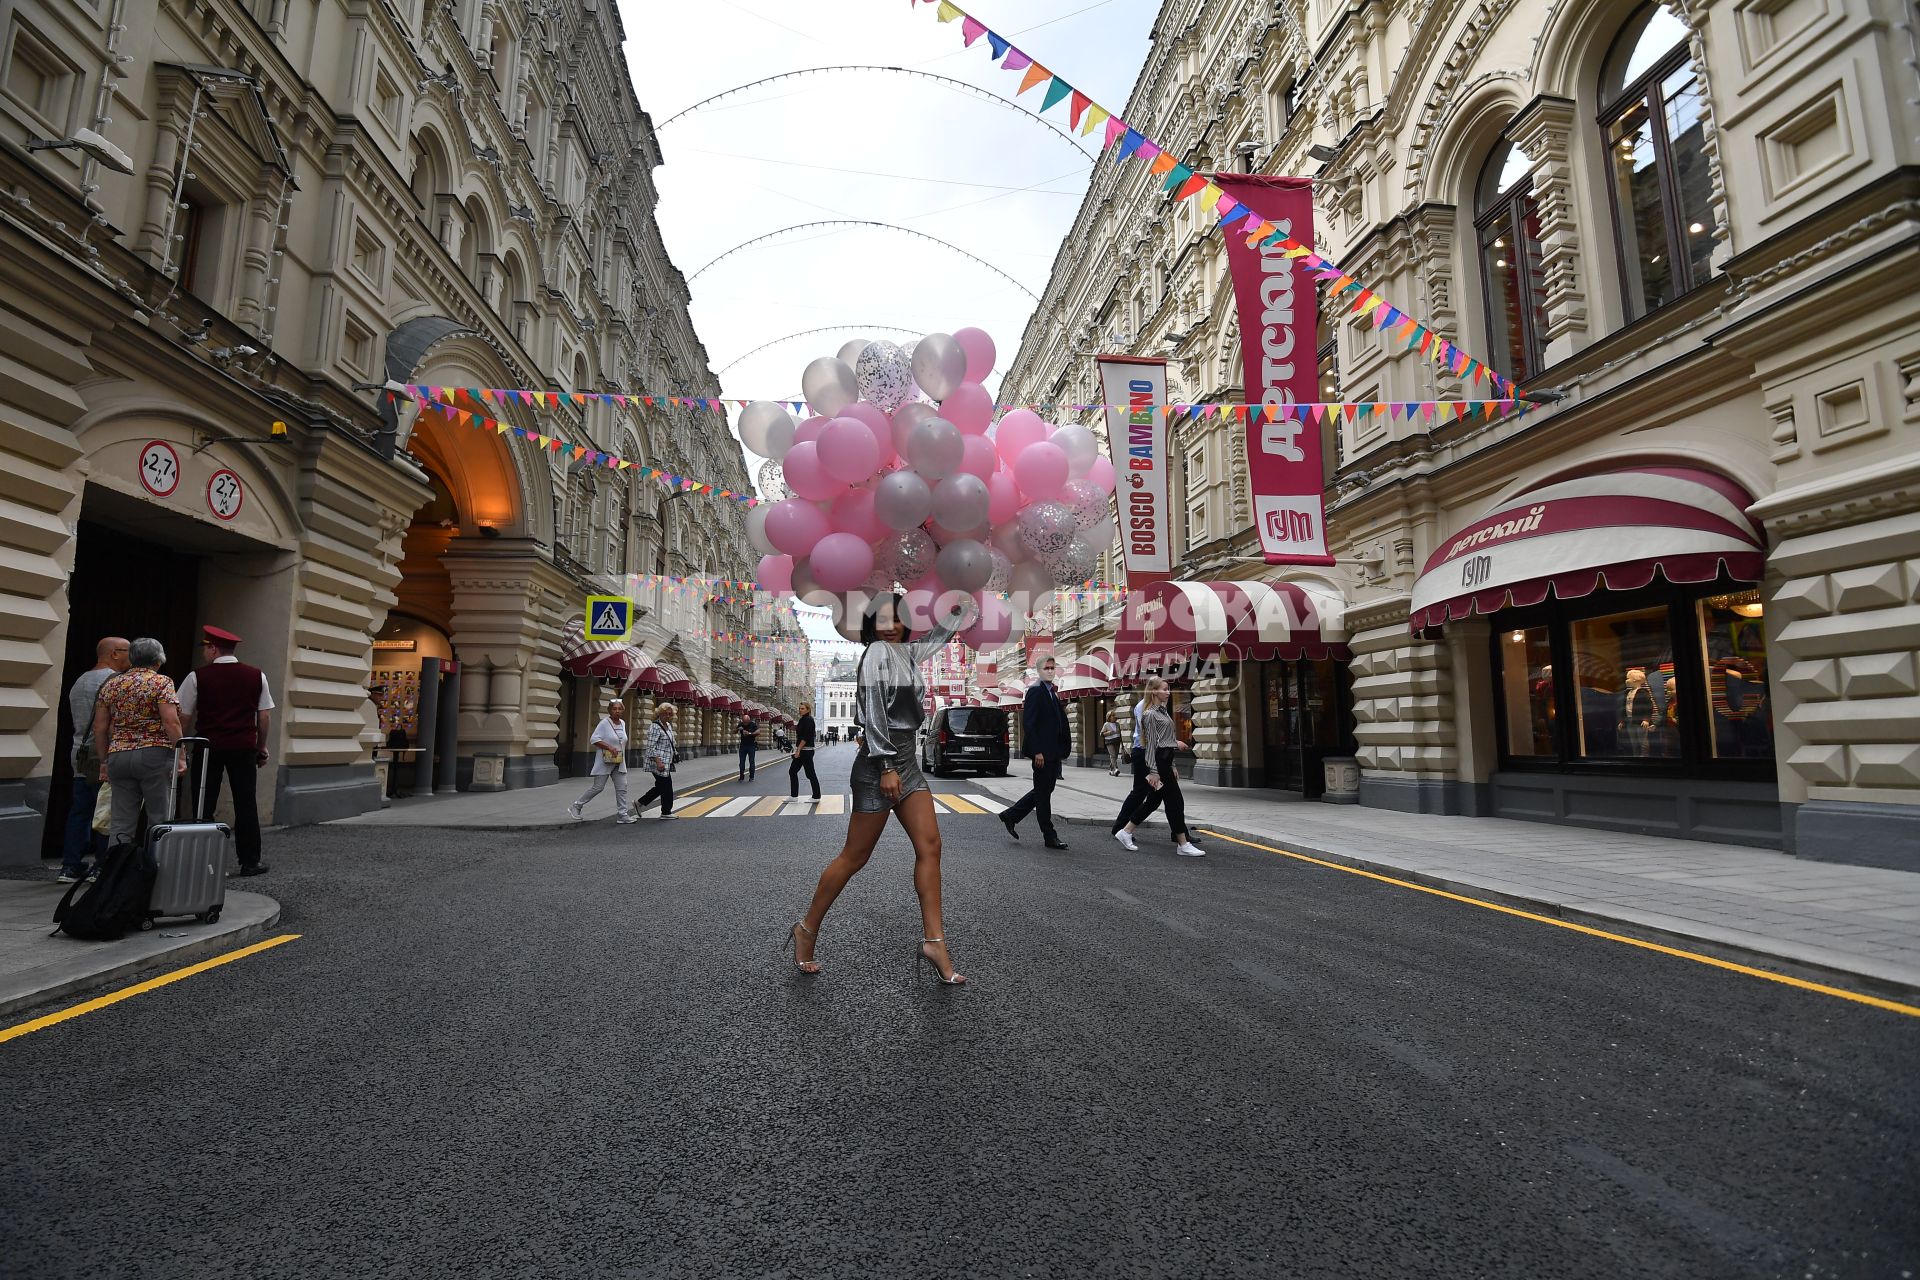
x,y
228,703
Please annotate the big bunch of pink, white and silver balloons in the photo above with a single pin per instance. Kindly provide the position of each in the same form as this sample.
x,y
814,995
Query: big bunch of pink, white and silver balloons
x,y
882,490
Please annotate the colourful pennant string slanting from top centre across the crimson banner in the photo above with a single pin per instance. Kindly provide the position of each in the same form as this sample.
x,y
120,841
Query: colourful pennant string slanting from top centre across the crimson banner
x,y
1188,183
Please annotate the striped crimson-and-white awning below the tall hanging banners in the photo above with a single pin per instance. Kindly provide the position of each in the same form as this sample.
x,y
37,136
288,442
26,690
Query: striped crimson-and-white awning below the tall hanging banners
x,y
1176,621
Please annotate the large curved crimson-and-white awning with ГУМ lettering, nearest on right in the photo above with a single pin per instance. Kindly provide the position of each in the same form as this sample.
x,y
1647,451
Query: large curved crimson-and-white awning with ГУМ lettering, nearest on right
x,y
1614,531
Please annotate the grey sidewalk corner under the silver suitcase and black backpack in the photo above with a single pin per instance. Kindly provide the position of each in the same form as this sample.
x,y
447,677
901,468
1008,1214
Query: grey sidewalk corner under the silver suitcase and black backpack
x,y
37,968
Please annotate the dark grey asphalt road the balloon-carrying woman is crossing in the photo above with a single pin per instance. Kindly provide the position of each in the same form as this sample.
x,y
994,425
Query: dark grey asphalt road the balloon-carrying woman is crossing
x,y
575,1053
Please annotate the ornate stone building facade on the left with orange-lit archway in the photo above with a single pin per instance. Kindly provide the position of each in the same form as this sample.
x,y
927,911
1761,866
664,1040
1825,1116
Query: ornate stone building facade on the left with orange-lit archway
x,y
299,204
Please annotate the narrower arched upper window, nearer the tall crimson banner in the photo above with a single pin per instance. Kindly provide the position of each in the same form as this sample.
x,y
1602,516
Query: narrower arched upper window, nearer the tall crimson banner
x,y
1508,224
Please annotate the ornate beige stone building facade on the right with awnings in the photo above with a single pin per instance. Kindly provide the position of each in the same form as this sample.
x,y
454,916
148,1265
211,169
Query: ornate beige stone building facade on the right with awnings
x,y
1691,227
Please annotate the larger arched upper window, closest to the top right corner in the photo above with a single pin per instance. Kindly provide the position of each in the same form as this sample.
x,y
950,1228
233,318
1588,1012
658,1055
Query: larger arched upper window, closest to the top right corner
x,y
1654,122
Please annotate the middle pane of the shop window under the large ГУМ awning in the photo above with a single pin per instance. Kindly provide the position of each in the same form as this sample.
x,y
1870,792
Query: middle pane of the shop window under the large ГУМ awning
x,y
1618,661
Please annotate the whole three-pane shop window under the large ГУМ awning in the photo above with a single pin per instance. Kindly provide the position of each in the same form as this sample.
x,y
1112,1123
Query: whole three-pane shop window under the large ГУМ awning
x,y
1669,680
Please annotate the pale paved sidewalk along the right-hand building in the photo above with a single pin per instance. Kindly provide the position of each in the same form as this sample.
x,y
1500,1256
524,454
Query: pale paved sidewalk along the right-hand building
x,y
1860,922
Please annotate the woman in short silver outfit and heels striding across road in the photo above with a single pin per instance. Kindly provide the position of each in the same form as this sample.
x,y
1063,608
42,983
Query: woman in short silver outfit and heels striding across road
x,y
886,780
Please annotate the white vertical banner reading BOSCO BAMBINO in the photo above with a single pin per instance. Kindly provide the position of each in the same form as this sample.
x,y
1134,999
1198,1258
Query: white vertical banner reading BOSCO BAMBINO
x,y
1136,394
